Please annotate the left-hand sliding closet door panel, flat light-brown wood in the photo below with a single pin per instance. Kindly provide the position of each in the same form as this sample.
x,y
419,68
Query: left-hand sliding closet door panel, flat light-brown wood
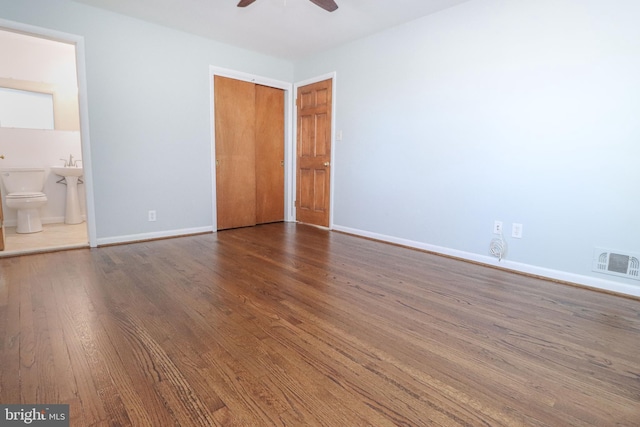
x,y
234,105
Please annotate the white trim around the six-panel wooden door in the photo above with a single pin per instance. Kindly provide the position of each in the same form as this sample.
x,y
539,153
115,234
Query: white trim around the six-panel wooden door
x,y
333,77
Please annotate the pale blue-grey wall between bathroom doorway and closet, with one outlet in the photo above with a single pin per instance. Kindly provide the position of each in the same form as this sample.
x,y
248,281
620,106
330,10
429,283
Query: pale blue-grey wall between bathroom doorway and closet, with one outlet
x,y
149,113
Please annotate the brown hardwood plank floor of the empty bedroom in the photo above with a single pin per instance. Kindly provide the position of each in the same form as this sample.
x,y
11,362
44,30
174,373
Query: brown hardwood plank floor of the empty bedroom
x,y
285,324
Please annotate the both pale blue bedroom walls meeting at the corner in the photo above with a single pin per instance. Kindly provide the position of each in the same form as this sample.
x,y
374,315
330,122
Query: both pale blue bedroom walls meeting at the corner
x,y
523,111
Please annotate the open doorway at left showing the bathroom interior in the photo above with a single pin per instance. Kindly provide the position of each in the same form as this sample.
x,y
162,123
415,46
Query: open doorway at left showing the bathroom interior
x,y
38,62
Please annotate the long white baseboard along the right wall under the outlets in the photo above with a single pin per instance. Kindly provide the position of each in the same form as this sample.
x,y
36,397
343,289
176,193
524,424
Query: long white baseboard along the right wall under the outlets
x,y
591,282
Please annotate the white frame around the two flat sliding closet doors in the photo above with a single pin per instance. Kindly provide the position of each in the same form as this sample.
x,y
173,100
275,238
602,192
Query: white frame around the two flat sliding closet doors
x,y
289,142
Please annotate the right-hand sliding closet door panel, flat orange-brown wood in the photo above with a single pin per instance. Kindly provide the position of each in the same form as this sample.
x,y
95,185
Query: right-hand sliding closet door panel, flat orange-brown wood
x,y
269,154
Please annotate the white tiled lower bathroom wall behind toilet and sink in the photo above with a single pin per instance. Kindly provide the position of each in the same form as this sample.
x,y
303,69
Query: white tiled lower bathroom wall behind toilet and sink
x,y
29,148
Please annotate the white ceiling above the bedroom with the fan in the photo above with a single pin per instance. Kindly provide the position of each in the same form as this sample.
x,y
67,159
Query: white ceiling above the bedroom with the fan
x,y
289,29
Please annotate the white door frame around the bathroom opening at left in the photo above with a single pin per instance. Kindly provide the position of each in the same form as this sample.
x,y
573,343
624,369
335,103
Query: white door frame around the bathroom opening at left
x,y
78,41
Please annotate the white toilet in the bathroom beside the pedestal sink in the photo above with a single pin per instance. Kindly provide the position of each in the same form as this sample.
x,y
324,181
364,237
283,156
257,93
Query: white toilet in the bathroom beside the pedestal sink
x,y
24,193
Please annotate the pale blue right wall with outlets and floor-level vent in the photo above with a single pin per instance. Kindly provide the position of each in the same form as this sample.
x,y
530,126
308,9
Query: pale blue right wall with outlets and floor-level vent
x,y
521,111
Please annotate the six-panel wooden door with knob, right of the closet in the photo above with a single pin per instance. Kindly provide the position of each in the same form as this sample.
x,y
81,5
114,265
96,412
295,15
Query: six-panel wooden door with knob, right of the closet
x,y
314,153
